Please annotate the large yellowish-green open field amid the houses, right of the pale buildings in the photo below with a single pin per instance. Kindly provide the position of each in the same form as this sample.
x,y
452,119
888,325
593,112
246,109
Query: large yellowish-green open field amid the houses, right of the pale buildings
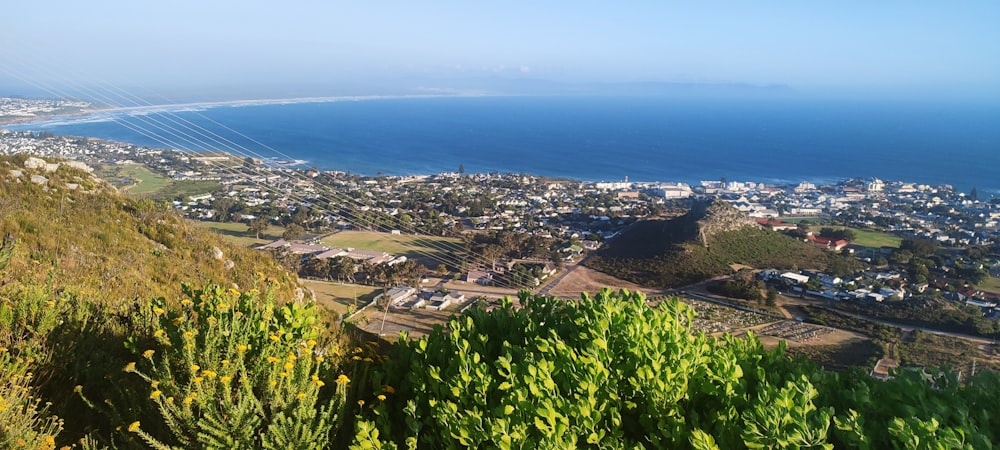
x,y
413,247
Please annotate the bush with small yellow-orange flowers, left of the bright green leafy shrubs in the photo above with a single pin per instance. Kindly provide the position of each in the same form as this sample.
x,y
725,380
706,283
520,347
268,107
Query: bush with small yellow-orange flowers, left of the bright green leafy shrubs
x,y
234,370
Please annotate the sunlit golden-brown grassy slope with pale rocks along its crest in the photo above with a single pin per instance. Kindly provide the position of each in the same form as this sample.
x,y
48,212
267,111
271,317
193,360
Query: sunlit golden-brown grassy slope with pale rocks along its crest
x,y
75,231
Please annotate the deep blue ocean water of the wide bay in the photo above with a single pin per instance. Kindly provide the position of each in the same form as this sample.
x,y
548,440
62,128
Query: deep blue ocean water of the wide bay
x,y
599,138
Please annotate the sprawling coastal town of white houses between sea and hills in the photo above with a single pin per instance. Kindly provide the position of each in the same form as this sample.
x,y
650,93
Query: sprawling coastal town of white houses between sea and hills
x,y
495,234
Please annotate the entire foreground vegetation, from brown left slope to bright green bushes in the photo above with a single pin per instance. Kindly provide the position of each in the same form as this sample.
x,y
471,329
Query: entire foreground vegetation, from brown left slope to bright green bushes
x,y
102,345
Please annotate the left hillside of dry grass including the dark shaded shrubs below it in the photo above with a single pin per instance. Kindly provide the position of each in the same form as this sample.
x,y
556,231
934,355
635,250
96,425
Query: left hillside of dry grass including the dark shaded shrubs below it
x,y
80,267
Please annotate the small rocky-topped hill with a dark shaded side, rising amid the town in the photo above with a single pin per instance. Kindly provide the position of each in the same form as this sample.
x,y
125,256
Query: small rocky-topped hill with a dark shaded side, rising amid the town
x,y
705,243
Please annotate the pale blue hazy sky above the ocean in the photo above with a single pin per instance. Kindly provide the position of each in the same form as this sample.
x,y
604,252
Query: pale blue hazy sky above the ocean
x,y
820,45
